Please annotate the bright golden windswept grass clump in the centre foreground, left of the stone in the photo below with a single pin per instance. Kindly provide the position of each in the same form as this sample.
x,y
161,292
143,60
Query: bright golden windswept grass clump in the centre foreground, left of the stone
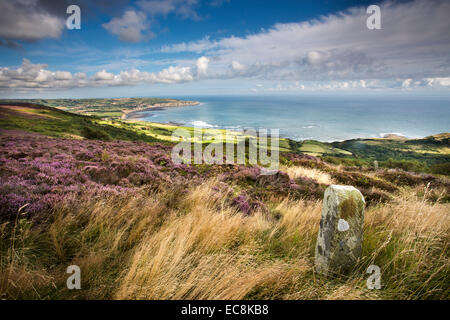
x,y
205,254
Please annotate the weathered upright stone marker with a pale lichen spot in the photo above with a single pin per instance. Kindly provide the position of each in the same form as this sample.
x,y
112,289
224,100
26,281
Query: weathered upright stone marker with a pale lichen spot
x,y
341,230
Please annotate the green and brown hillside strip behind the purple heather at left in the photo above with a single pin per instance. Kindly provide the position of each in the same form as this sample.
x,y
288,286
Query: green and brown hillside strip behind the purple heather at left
x,y
57,123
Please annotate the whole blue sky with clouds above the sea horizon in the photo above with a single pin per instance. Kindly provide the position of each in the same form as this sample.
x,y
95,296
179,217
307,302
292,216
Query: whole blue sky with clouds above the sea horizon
x,y
199,47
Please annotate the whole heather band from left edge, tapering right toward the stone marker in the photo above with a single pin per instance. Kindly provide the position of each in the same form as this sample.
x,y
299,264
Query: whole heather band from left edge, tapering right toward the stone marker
x,y
42,173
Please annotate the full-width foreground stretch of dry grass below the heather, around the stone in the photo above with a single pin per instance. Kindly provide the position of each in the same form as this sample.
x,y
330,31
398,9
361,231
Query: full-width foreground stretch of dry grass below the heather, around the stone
x,y
144,247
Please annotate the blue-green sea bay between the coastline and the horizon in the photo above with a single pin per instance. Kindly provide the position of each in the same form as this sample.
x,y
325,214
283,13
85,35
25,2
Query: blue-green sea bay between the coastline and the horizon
x,y
323,117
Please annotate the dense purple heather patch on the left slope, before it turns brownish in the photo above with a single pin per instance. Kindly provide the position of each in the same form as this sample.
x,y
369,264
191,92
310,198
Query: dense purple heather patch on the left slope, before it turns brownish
x,y
41,172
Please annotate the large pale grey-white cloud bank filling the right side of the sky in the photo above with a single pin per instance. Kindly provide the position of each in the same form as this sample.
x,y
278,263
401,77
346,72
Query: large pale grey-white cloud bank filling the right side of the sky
x,y
413,43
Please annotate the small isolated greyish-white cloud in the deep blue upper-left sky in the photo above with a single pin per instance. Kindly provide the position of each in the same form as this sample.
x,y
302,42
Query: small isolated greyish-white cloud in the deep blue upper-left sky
x,y
130,27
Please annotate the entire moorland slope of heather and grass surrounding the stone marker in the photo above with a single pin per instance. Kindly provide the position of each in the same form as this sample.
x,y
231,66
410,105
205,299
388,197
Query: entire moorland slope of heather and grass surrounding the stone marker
x,y
110,200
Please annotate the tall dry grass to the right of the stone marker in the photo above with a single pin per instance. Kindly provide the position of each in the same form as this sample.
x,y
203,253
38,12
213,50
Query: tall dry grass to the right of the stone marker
x,y
409,240
